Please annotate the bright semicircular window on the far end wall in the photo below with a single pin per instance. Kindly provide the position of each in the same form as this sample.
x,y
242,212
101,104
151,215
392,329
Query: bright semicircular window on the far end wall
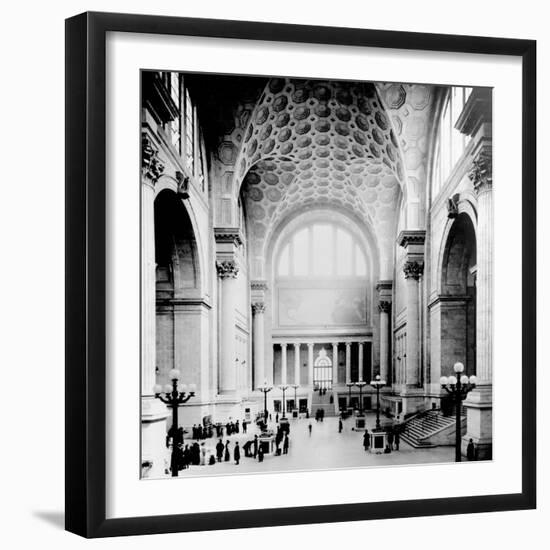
x,y
322,250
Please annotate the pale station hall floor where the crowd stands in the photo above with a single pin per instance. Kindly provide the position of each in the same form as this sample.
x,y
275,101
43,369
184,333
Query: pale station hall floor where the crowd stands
x,y
324,449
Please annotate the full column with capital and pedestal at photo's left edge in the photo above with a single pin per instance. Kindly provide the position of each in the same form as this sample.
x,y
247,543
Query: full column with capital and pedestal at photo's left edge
x,y
153,411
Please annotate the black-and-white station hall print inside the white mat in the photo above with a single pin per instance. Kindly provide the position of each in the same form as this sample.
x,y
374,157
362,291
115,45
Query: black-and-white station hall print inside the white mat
x,y
316,274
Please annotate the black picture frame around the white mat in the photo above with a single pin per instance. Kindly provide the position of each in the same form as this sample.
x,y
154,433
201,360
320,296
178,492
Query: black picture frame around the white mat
x,y
86,284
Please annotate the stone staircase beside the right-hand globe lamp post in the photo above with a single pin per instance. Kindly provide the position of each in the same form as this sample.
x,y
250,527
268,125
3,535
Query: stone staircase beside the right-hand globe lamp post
x,y
431,428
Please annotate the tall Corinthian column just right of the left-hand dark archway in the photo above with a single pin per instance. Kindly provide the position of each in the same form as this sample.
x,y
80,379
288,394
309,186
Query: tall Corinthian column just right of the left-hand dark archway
x,y
227,271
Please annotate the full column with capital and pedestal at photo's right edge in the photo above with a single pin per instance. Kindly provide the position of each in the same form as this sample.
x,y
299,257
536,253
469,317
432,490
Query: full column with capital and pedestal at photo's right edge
x,y
479,402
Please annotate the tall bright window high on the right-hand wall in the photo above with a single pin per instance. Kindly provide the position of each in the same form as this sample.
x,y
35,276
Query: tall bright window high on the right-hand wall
x,y
451,142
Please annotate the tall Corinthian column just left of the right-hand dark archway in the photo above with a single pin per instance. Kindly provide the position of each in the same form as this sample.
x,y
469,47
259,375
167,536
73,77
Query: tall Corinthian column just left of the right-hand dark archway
x,y
413,271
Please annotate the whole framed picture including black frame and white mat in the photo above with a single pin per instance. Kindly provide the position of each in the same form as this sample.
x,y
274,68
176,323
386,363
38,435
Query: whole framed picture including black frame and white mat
x,y
290,291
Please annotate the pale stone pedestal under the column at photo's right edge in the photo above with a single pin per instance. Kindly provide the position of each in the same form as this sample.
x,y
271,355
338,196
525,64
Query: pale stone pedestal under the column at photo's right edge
x,y
479,414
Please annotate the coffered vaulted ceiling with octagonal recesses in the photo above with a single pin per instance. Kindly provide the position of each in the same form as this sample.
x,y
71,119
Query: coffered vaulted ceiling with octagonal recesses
x,y
307,143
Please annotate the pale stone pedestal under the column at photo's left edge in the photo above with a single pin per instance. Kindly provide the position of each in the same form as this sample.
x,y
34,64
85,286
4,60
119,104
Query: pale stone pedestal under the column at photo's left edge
x,y
155,457
